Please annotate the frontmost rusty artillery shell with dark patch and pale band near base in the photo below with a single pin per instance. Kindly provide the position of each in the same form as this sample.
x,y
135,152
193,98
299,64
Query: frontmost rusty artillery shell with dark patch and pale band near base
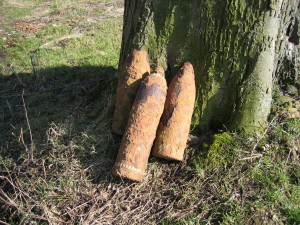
x,y
141,129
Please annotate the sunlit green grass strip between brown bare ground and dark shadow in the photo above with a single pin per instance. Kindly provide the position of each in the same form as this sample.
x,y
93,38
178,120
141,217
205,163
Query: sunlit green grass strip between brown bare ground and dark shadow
x,y
99,46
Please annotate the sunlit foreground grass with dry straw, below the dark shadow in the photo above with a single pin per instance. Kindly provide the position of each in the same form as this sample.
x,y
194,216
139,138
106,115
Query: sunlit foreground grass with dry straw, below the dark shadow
x,y
69,180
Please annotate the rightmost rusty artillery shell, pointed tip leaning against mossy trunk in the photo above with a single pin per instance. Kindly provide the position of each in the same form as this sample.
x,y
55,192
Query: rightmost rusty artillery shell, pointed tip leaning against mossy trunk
x,y
173,129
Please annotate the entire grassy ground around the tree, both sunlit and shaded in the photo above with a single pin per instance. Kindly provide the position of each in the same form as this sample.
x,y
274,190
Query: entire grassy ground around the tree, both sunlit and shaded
x,y
65,62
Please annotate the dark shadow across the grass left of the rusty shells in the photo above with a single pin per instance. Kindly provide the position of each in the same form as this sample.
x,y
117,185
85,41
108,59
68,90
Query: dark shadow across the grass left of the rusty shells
x,y
67,113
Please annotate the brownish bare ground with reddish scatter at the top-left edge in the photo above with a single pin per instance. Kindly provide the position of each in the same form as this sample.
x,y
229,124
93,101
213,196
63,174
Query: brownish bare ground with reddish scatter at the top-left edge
x,y
79,17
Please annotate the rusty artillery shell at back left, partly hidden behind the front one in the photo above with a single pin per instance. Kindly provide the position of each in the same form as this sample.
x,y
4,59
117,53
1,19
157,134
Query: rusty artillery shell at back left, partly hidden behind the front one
x,y
136,68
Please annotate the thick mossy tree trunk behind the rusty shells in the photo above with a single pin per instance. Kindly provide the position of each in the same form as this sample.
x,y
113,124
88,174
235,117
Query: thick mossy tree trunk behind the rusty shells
x,y
236,47
